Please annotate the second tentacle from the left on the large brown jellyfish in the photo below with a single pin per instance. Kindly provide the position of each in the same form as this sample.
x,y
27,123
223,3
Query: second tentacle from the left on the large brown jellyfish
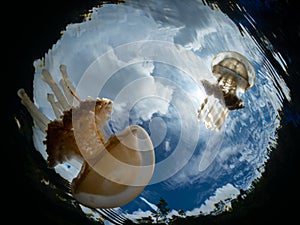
x,y
46,76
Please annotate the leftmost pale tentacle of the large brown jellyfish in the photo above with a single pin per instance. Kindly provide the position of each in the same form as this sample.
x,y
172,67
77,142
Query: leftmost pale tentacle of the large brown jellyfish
x,y
41,120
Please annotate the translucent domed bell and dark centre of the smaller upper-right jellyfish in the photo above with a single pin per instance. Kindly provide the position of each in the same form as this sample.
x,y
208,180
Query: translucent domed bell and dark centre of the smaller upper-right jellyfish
x,y
235,75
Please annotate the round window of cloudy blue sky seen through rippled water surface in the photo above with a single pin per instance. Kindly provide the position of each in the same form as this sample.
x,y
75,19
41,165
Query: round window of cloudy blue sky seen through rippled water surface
x,y
151,58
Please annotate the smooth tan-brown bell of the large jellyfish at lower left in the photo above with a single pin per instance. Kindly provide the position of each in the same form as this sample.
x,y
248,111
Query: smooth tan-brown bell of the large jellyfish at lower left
x,y
99,185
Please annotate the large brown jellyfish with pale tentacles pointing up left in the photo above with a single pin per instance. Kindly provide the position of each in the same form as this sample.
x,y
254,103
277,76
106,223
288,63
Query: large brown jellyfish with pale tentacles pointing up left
x,y
113,171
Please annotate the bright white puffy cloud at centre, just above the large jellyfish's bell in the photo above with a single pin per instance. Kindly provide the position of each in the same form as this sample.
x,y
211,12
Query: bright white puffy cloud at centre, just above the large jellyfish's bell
x,y
143,96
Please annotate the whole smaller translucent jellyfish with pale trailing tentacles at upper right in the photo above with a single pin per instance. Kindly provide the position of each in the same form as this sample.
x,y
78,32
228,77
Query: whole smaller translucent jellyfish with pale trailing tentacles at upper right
x,y
235,75
